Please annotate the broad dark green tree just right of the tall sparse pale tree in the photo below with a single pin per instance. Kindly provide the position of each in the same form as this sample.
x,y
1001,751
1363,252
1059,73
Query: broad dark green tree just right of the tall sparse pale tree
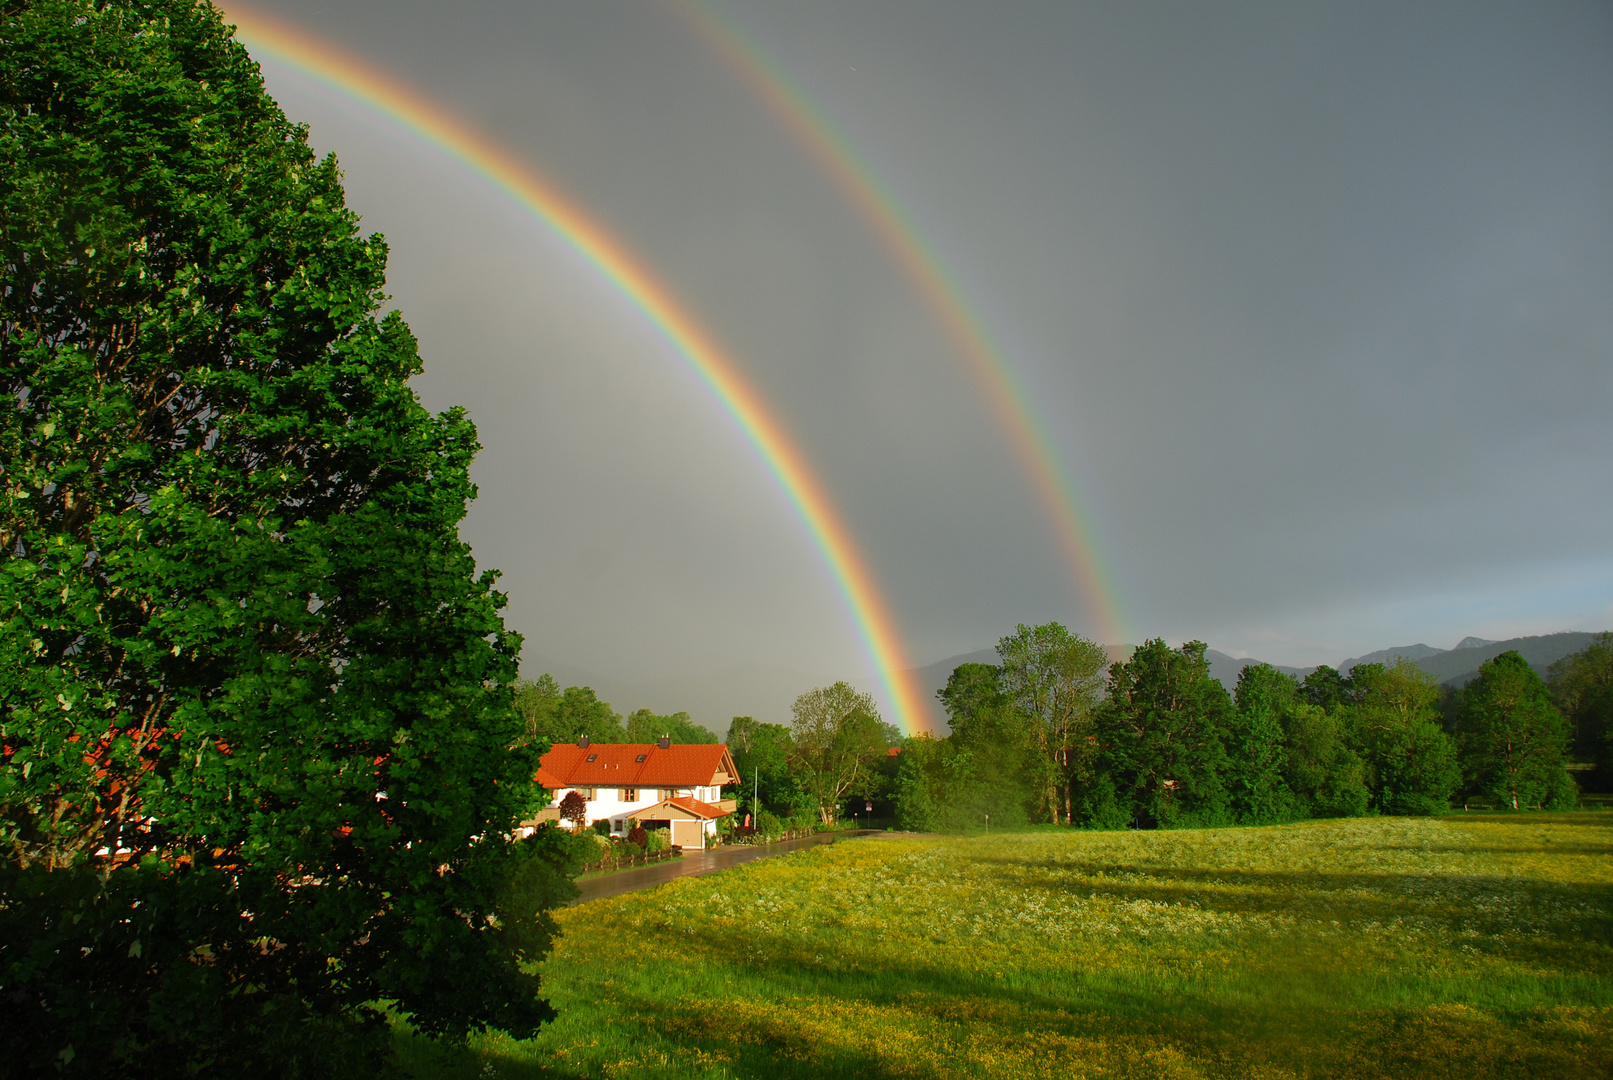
x,y
1162,734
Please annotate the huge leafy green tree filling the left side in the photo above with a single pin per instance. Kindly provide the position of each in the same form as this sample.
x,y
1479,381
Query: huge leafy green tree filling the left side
x,y
260,758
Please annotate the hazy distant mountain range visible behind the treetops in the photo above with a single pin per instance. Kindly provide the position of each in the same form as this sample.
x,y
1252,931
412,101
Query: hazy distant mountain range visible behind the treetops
x,y
767,692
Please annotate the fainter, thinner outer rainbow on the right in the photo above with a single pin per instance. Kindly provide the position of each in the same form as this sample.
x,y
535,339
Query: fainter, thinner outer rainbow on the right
x,y
1009,399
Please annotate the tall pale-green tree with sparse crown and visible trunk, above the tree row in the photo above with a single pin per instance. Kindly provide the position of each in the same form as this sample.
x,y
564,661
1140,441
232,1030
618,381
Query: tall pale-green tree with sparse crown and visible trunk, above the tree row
x,y
1056,679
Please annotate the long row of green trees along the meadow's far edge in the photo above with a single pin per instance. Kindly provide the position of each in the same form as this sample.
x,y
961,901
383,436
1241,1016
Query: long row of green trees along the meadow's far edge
x,y
1156,741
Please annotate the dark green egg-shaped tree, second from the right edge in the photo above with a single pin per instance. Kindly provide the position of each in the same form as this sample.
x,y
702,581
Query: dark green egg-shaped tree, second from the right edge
x,y
1514,739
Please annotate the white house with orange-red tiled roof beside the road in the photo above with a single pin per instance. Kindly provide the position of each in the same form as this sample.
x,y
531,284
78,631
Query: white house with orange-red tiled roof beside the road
x,y
657,784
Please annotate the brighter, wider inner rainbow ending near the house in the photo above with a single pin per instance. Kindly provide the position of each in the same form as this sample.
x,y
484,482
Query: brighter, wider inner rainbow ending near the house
x,y
522,183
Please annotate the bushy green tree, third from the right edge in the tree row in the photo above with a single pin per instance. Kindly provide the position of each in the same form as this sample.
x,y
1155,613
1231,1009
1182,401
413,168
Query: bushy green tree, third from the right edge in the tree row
x,y
1394,725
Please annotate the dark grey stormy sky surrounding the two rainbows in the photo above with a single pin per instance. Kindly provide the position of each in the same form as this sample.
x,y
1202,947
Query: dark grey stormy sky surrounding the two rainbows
x,y
1319,302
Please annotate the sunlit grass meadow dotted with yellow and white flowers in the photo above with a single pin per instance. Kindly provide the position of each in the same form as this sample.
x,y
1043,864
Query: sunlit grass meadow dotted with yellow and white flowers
x,y
1461,947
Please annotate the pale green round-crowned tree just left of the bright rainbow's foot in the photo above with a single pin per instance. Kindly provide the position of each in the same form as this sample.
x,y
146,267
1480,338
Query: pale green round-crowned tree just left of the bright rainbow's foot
x,y
836,739
